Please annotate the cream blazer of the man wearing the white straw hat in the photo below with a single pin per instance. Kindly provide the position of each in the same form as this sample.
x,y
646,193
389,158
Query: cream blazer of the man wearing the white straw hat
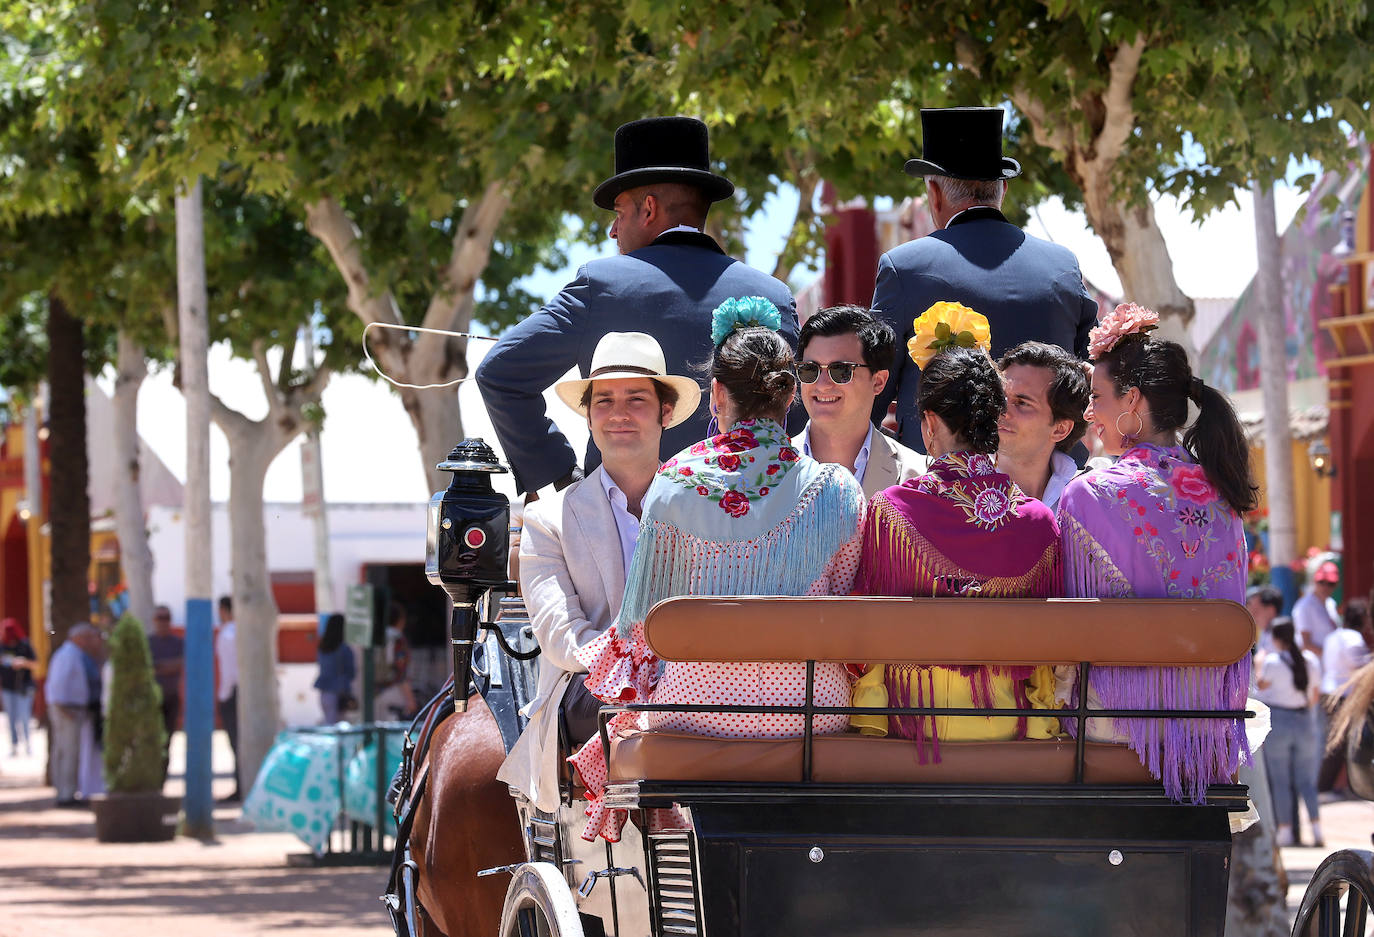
x,y
574,580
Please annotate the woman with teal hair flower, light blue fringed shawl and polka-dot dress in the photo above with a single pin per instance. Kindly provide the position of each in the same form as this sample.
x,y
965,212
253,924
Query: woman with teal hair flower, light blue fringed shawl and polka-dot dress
x,y
740,513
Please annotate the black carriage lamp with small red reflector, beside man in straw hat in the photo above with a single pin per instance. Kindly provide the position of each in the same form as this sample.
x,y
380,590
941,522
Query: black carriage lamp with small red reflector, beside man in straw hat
x,y
468,547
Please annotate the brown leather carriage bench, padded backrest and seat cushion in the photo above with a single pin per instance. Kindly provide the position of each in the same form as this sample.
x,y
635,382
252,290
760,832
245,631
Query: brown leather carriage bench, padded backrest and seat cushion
x,y
1119,633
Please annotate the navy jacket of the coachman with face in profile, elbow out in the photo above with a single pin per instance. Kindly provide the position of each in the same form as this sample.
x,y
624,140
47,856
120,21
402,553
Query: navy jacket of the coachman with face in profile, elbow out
x,y
668,291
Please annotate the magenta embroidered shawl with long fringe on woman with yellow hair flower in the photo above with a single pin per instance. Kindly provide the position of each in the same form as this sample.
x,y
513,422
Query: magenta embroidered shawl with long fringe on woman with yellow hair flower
x,y
967,530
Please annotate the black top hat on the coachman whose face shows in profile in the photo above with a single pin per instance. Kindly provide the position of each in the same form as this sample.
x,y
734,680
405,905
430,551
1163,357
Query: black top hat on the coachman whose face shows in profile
x,y
663,150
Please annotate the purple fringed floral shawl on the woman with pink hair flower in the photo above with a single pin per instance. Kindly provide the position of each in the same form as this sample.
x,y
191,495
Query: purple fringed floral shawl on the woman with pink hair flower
x,y
1153,527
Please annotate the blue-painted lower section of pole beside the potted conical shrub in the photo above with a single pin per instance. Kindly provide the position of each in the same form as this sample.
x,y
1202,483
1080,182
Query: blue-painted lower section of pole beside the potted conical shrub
x,y
199,807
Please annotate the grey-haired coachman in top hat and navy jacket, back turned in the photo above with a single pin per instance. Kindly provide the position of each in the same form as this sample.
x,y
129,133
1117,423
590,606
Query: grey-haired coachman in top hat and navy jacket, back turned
x,y
1027,288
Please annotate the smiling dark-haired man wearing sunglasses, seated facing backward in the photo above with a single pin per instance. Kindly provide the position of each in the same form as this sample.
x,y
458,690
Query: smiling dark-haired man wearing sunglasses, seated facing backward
x,y
843,359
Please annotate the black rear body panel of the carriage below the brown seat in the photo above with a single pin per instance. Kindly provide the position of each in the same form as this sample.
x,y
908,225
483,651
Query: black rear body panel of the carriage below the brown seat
x,y
883,866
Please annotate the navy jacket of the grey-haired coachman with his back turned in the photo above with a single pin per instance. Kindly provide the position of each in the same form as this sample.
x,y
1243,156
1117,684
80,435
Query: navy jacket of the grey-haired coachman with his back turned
x,y
1027,288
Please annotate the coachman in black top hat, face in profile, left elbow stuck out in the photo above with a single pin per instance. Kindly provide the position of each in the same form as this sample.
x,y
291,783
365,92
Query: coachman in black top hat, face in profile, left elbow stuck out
x,y
666,282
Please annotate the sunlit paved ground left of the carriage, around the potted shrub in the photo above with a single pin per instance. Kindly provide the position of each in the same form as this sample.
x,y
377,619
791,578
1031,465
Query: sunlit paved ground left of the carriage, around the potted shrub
x,y
57,880
